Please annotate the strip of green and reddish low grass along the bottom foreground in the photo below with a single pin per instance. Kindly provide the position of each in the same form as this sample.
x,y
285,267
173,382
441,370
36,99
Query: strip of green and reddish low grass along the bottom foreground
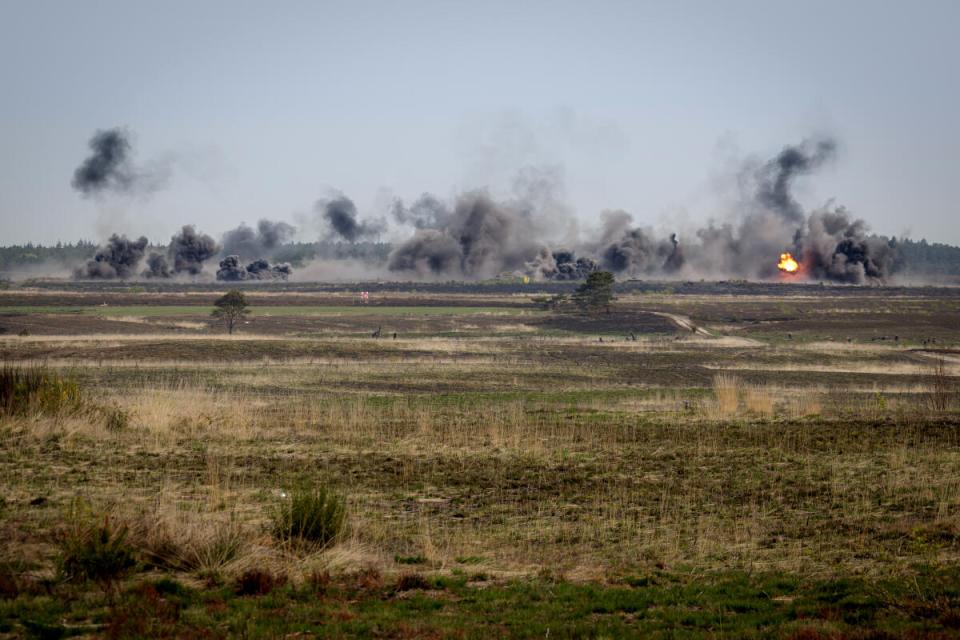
x,y
731,604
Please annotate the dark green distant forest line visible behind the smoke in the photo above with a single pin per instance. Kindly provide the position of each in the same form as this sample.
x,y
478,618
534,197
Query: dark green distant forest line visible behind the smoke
x,y
917,257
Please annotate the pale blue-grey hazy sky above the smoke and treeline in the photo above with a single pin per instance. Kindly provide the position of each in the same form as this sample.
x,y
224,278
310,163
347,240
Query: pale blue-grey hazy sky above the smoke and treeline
x,y
261,108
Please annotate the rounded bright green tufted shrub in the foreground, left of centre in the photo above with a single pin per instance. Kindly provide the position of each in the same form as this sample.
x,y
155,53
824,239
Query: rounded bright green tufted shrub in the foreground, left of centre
x,y
314,516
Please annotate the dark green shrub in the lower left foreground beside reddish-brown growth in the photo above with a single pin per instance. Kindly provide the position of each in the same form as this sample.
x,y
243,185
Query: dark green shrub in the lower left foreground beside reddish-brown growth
x,y
93,547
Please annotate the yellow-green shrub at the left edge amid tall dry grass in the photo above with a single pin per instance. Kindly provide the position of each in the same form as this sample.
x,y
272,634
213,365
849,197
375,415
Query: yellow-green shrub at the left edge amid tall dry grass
x,y
25,390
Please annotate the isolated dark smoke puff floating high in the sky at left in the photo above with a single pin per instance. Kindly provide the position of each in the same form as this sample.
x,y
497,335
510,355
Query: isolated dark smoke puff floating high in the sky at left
x,y
110,168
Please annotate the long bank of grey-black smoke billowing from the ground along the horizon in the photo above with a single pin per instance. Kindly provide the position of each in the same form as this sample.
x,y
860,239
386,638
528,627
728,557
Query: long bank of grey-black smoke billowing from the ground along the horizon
x,y
478,236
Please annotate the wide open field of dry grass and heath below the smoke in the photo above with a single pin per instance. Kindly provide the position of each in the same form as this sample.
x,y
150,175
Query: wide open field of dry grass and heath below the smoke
x,y
781,463
